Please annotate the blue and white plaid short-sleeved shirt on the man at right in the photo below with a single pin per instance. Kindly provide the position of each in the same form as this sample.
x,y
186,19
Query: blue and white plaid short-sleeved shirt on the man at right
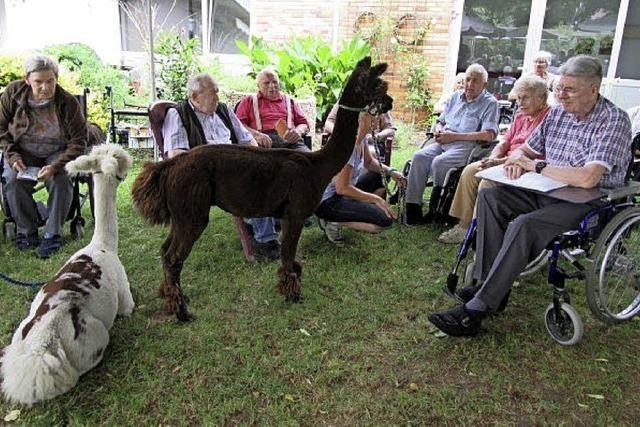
x,y
603,138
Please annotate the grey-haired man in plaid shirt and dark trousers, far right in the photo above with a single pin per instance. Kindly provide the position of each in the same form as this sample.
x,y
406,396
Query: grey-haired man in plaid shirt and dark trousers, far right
x,y
585,141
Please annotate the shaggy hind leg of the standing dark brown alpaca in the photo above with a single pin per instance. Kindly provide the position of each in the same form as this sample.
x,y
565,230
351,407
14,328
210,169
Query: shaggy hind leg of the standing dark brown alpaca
x,y
182,238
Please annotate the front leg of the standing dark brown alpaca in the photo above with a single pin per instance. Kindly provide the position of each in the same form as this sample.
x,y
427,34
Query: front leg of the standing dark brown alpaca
x,y
290,273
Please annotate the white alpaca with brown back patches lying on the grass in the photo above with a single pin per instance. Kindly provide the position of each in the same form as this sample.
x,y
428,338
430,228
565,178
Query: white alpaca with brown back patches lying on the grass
x,y
67,329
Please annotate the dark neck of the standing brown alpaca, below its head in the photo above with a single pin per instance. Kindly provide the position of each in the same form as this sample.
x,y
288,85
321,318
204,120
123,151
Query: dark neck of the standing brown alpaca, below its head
x,y
336,153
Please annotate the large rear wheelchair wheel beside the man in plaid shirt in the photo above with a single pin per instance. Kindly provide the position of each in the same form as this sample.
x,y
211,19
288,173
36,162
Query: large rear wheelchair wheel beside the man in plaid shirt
x,y
613,281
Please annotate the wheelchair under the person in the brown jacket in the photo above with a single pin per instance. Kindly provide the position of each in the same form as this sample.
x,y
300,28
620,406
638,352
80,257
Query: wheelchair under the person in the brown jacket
x,y
80,194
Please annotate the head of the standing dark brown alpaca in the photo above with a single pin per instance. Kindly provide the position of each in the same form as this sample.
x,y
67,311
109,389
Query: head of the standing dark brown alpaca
x,y
365,88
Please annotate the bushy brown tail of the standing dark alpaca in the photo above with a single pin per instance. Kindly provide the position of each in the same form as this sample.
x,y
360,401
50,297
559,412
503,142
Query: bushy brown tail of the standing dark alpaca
x,y
149,192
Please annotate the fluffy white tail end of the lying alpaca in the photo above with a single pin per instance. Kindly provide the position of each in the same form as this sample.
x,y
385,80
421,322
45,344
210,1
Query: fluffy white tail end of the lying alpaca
x,y
30,375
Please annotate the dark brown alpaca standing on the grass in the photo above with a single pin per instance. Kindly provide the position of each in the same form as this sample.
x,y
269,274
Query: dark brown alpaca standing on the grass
x,y
251,182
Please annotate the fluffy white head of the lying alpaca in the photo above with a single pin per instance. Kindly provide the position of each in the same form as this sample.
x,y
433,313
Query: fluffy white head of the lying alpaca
x,y
109,159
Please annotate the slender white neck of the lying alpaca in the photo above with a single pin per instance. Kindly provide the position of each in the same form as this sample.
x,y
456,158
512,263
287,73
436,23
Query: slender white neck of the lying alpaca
x,y
105,232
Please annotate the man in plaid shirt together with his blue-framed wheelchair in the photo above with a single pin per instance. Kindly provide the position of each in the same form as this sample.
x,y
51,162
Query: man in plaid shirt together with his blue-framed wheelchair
x,y
586,143
